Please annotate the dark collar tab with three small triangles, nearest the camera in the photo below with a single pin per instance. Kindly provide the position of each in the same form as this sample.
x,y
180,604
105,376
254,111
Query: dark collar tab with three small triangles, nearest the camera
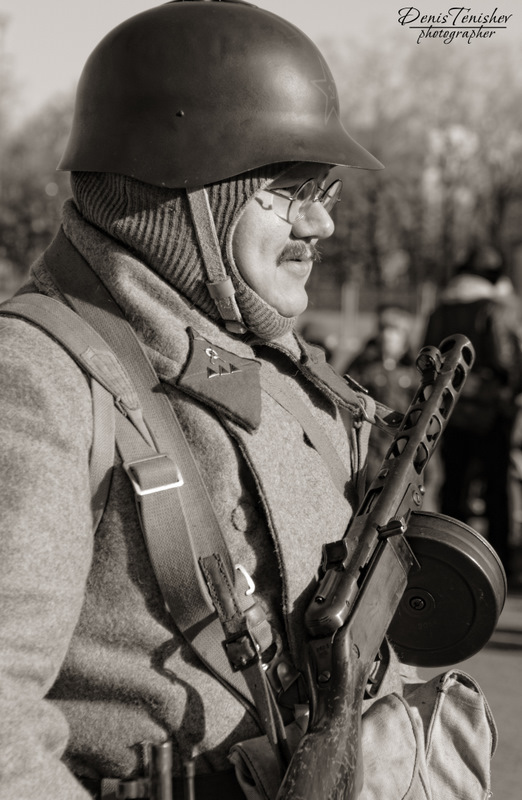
x,y
223,380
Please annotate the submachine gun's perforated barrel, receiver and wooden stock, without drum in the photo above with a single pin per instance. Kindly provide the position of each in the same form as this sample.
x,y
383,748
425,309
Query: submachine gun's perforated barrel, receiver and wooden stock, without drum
x,y
364,577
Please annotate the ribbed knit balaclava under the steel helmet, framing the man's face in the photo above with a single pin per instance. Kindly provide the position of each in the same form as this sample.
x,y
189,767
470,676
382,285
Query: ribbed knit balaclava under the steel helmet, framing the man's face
x,y
155,224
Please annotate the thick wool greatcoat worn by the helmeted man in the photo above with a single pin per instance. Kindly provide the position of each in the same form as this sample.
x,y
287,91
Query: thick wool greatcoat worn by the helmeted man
x,y
91,663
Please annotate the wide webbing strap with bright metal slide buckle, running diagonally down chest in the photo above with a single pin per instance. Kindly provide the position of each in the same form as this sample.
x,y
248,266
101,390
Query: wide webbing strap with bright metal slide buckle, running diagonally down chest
x,y
172,499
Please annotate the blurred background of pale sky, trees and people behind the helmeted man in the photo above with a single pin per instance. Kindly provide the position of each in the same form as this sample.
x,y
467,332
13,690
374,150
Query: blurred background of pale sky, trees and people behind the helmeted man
x,y
445,119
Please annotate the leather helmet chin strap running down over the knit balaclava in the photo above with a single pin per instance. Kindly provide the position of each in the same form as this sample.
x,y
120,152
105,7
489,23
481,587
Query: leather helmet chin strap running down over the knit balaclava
x,y
219,284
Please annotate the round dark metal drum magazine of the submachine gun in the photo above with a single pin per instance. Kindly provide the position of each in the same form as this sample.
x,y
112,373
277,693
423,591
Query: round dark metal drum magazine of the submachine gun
x,y
451,605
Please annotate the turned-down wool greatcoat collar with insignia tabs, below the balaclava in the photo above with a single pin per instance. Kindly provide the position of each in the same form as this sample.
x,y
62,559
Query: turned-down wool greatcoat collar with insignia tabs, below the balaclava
x,y
179,338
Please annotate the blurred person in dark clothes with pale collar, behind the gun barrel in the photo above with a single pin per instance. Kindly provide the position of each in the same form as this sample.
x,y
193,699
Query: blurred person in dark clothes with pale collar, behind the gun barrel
x,y
476,446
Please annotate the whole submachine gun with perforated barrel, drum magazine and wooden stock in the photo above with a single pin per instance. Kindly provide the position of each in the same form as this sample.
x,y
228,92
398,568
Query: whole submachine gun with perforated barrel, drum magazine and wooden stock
x,y
433,585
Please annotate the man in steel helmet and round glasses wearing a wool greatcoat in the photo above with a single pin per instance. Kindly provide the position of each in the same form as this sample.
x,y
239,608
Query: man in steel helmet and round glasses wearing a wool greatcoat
x,y
200,190
